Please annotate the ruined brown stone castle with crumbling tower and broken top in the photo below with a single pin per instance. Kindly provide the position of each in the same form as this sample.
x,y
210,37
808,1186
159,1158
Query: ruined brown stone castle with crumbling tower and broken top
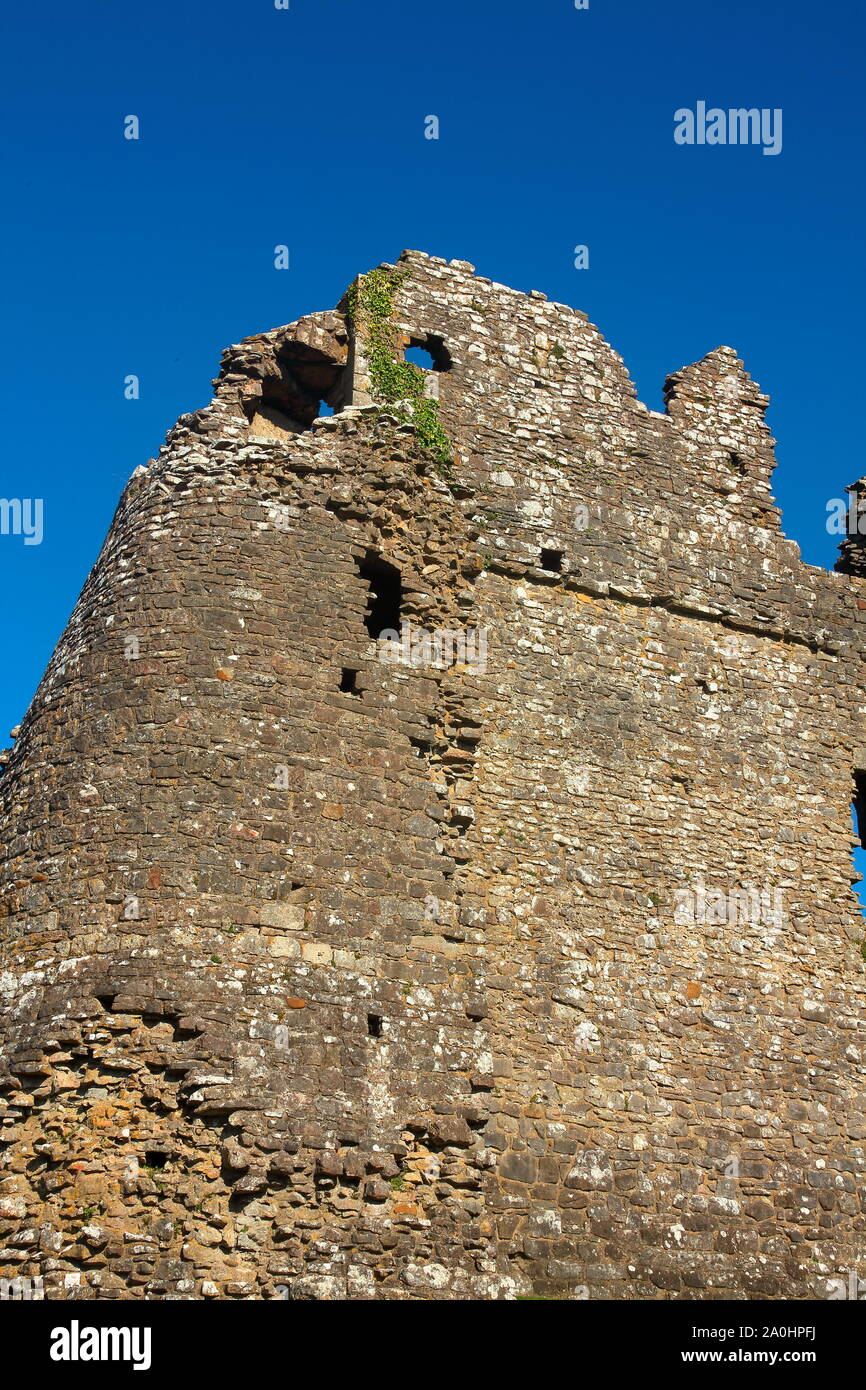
x,y
426,864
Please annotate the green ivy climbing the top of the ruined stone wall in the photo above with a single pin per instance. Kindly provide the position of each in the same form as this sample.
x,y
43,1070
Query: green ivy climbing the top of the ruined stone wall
x,y
393,380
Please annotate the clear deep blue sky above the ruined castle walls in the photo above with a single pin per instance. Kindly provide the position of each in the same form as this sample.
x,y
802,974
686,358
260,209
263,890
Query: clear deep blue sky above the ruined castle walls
x,y
307,127
